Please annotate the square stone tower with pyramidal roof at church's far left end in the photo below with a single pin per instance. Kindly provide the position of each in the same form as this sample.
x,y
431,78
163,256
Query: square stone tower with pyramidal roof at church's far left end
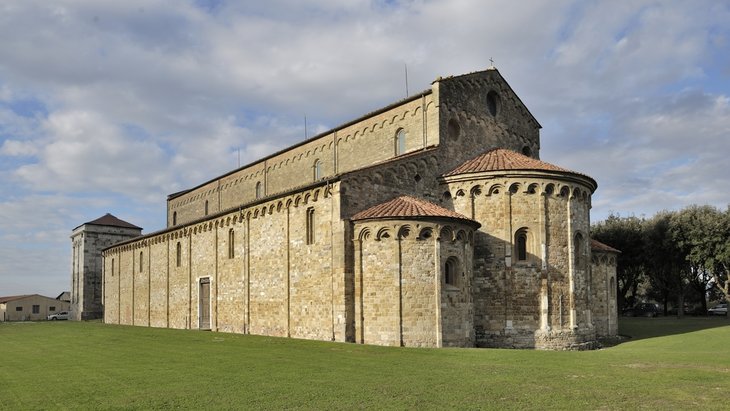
x,y
88,240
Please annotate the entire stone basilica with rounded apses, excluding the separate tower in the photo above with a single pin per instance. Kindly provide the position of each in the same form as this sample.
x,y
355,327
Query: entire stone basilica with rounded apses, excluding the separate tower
x,y
431,222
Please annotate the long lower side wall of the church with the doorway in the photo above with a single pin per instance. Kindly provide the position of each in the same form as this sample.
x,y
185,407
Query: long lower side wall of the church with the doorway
x,y
272,270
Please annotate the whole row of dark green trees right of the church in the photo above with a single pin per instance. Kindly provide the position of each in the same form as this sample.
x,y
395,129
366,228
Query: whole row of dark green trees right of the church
x,y
679,259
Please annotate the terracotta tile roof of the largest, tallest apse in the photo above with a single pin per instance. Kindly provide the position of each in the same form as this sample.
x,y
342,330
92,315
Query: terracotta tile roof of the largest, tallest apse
x,y
501,159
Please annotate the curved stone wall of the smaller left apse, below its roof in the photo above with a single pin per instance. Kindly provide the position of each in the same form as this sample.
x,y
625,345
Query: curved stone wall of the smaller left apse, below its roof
x,y
401,297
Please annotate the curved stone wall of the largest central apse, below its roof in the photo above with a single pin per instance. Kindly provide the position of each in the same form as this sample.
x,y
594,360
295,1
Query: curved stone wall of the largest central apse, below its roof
x,y
526,301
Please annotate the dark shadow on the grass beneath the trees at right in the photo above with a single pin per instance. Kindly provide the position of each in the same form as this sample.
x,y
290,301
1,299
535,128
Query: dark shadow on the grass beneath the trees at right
x,y
639,328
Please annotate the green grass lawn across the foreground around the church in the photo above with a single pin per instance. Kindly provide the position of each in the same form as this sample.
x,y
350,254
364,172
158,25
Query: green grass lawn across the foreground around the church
x,y
667,364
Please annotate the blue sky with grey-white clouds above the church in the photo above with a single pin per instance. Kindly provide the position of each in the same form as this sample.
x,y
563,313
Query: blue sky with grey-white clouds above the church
x,y
109,106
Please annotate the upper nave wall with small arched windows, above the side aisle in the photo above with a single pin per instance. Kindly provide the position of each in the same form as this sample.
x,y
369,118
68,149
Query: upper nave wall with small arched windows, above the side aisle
x,y
361,143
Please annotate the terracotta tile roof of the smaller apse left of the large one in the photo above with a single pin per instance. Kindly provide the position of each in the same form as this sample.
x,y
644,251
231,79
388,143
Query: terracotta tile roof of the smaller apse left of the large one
x,y
408,207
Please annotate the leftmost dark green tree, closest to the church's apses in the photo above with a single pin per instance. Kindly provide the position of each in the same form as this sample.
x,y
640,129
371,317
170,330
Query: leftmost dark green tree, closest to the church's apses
x,y
626,235
